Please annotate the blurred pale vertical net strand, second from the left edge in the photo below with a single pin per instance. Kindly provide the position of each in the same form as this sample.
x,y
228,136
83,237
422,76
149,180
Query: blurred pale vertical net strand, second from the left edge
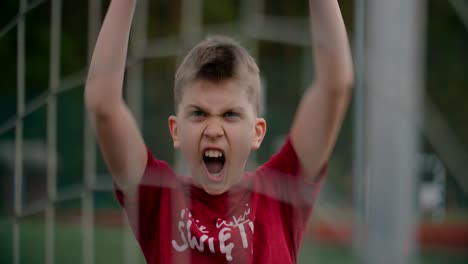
x,y
54,82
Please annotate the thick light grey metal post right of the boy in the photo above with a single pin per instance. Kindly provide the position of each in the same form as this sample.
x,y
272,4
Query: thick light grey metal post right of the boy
x,y
393,103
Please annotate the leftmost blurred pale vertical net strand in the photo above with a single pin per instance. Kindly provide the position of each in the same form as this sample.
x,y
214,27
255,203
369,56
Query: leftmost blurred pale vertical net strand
x,y
18,180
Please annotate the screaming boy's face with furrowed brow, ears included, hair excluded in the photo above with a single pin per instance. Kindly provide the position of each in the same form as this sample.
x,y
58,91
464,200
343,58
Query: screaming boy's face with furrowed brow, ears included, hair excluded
x,y
216,127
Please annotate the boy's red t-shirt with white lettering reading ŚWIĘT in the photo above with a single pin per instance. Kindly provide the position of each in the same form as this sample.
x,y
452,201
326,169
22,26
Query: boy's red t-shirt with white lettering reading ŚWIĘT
x,y
261,220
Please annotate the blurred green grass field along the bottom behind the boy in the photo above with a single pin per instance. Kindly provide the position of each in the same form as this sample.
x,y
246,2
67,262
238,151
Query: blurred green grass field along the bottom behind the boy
x,y
109,245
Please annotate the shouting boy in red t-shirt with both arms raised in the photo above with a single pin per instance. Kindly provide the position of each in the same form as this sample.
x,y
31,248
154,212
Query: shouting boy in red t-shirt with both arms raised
x,y
220,214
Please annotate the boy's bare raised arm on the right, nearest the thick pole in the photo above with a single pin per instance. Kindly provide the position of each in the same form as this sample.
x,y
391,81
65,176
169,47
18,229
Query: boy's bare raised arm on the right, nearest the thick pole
x,y
323,106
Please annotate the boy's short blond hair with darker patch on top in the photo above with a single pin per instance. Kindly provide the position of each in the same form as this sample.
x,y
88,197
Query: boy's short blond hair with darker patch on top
x,y
217,59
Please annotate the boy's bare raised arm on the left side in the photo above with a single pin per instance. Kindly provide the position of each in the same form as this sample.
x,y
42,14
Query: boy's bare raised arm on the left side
x,y
118,136
